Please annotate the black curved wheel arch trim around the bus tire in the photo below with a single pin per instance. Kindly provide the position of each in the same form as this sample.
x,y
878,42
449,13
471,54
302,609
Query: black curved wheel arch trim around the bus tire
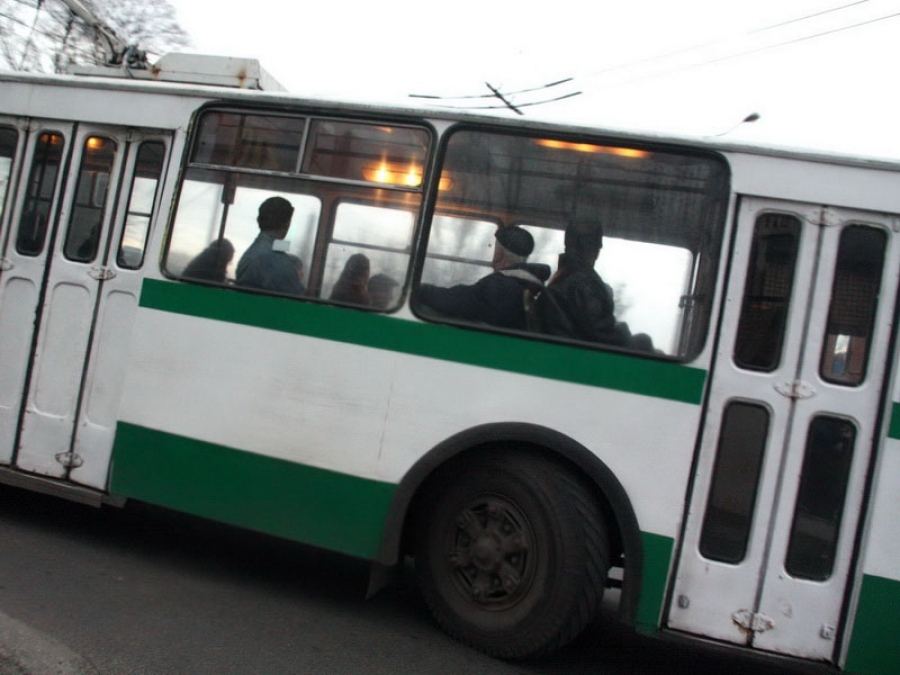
x,y
612,497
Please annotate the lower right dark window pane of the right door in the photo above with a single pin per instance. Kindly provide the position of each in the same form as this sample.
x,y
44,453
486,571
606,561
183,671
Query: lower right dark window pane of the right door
x,y
820,499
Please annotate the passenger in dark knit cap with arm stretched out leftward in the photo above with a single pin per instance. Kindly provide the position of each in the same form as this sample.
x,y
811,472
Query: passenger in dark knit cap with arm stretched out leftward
x,y
499,298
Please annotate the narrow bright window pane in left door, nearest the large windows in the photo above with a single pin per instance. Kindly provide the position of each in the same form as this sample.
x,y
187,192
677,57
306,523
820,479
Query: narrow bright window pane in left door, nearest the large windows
x,y
147,172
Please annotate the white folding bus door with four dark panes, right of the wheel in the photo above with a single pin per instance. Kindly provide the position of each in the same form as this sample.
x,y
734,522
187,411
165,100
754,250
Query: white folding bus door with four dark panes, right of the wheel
x,y
792,418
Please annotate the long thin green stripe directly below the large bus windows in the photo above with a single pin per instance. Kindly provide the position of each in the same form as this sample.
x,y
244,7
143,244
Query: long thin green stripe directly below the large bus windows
x,y
661,379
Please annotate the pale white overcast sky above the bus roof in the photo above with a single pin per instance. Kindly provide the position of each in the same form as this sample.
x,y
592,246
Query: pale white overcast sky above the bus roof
x,y
821,73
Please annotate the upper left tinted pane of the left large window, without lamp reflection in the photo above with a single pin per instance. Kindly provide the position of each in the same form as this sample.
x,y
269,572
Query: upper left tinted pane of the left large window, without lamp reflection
x,y
264,142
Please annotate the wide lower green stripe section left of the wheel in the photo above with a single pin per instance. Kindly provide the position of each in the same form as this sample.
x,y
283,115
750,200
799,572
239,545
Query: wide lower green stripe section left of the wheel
x,y
319,507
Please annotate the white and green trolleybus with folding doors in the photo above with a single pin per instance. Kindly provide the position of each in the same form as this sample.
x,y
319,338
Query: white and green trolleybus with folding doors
x,y
734,471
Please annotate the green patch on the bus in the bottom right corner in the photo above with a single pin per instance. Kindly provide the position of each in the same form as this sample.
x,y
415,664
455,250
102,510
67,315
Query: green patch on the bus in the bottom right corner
x,y
874,647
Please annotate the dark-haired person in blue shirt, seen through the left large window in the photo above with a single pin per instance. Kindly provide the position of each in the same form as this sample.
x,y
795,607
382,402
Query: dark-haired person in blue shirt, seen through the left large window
x,y
264,267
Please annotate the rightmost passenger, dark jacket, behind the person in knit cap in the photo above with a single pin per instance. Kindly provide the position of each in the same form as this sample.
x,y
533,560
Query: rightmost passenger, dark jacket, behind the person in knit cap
x,y
577,303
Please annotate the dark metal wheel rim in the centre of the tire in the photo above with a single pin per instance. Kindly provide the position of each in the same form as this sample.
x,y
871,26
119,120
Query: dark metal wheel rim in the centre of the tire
x,y
490,551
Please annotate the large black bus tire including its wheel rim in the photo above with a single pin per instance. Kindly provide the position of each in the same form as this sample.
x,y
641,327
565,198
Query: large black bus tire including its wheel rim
x,y
512,555
